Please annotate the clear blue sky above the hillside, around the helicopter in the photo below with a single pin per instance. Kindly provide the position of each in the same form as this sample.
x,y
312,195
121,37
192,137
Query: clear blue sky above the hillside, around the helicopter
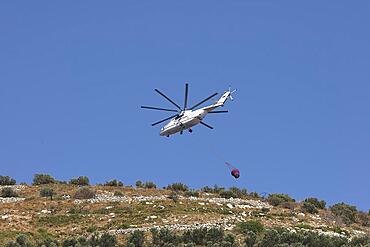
x,y
74,73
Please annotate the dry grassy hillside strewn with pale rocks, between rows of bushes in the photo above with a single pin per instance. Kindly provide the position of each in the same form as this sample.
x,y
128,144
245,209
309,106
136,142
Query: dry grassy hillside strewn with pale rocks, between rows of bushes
x,y
120,210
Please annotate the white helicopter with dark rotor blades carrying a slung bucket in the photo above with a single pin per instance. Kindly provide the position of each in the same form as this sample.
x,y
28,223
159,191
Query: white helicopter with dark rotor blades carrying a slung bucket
x,y
185,118
